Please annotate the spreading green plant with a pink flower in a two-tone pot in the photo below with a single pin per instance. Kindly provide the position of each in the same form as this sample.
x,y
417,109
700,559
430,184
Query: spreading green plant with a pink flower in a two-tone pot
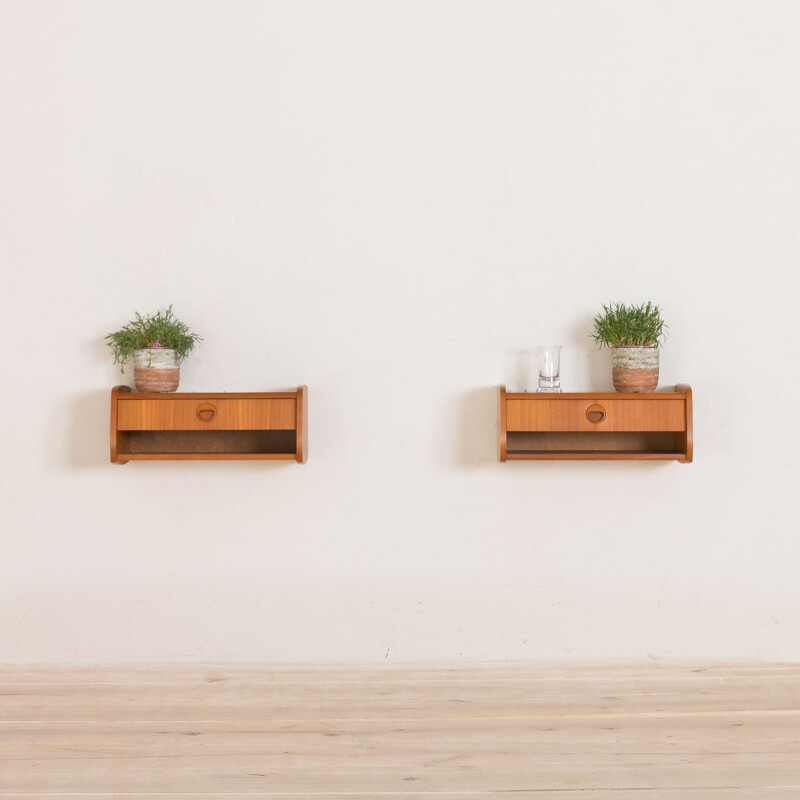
x,y
157,343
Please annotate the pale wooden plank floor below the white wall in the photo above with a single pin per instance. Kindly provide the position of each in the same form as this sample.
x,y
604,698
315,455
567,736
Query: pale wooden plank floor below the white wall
x,y
553,732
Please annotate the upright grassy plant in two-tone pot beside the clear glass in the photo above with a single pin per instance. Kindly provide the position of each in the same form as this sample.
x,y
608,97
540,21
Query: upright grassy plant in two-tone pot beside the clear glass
x,y
634,334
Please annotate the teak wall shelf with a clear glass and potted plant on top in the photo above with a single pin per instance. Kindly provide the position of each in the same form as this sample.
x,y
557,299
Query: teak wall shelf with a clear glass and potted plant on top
x,y
607,425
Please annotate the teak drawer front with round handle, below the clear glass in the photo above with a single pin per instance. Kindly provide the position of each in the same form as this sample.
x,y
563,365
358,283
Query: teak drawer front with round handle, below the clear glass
x,y
550,414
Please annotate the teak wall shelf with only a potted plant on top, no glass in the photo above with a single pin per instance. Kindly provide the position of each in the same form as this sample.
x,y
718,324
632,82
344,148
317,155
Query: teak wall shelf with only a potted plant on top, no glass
x,y
235,426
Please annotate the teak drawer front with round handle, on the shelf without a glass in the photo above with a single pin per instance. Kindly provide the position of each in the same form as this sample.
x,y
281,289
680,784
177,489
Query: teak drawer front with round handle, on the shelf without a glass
x,y
246,414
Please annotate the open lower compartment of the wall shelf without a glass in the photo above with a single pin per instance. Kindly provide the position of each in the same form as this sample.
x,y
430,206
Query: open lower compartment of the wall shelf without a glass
x,y
184,445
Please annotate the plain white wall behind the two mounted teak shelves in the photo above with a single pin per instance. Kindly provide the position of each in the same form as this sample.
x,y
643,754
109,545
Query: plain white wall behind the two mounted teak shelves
x,y
393,202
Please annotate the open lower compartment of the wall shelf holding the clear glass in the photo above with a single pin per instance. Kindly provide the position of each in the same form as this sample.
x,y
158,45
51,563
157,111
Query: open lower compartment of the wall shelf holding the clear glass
x,y
562,446
